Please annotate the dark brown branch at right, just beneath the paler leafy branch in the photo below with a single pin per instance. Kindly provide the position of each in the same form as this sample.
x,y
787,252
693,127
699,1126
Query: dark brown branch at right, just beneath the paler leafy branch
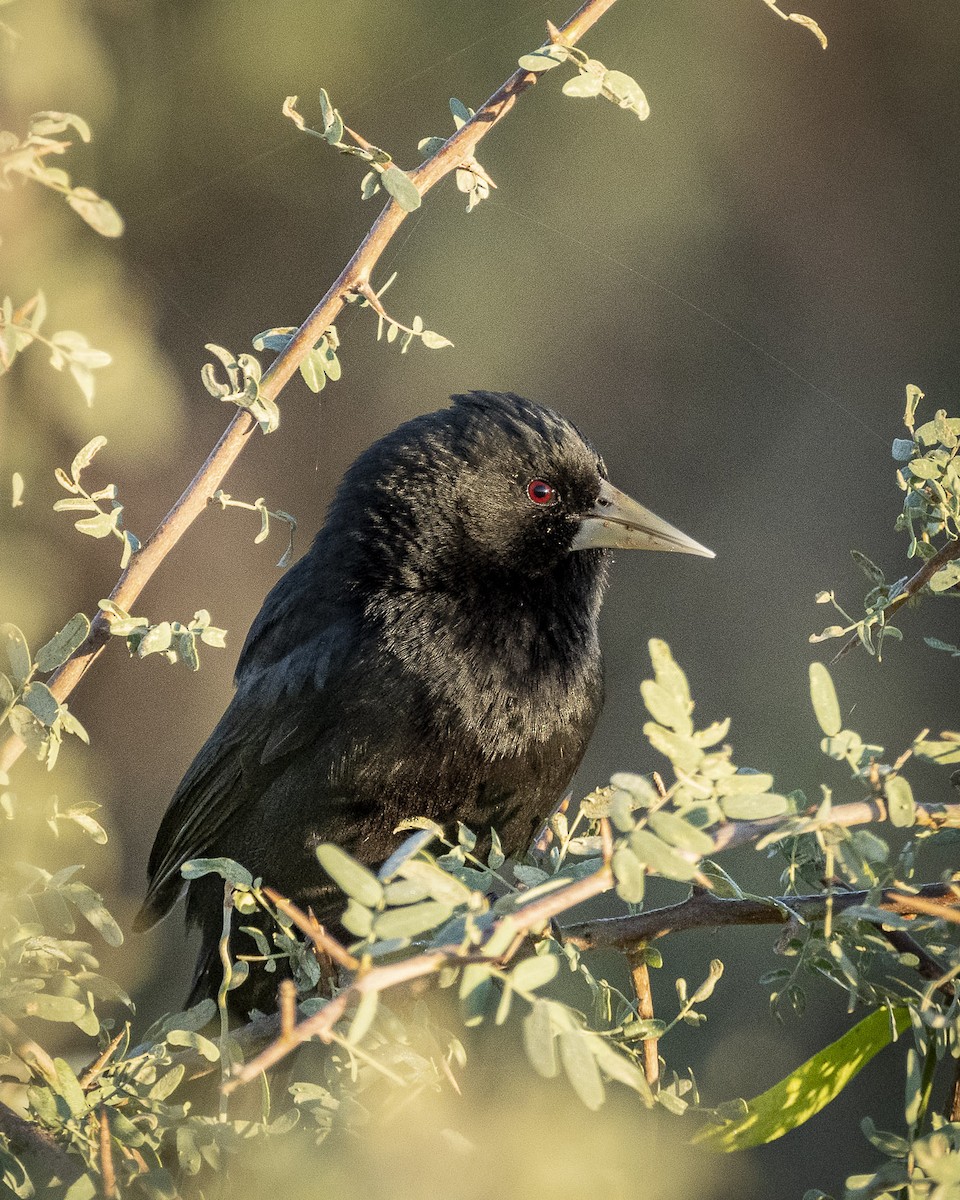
x,y
706,911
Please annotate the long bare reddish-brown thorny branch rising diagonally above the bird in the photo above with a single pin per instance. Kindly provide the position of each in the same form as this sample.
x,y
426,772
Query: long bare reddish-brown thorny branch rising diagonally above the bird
x,y
459,148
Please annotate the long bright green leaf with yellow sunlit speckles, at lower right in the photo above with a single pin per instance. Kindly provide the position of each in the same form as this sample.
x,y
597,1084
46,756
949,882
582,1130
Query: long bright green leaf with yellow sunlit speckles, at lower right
x,y
808,1089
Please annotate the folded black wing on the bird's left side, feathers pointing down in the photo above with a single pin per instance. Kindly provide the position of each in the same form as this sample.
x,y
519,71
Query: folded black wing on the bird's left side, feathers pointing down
x,y
274,712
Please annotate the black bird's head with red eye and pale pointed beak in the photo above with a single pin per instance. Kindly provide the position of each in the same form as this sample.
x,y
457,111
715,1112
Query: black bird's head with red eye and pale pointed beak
x,y
494,487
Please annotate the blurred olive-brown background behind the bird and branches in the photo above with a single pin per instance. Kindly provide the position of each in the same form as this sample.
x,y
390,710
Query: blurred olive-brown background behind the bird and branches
x,y
729,299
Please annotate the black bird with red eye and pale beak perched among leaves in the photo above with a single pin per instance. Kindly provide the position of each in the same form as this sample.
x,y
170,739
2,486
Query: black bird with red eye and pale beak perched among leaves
x,y
435,653
